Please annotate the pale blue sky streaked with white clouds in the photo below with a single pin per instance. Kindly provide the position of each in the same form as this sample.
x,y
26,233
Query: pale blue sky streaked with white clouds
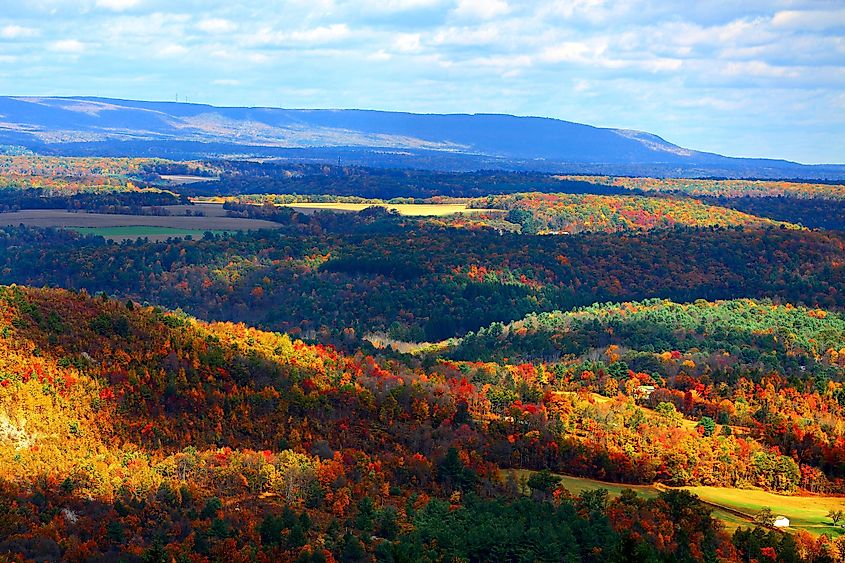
x,y
737,77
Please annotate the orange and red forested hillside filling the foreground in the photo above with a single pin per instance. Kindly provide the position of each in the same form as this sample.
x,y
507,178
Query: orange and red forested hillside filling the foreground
x,y
306,453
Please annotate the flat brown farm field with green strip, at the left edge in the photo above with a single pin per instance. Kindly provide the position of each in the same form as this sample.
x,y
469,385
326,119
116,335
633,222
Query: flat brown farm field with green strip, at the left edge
x,y
163,226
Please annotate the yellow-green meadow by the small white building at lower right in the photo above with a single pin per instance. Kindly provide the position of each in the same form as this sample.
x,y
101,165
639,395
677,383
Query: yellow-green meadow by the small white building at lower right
x,y
804,512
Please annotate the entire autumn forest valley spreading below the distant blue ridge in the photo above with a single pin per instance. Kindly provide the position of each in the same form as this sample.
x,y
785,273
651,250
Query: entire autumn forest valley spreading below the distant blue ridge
x,y
418,366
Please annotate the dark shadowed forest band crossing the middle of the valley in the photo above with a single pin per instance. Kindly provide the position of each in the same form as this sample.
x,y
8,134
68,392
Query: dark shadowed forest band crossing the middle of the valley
x,y
330,272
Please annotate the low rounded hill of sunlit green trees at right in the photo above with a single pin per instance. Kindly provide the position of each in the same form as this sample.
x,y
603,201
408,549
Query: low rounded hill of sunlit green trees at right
x,y
783,338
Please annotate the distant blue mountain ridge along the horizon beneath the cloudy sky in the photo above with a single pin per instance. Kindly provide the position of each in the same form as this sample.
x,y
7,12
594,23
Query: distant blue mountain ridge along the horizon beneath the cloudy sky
x,y
110,127
